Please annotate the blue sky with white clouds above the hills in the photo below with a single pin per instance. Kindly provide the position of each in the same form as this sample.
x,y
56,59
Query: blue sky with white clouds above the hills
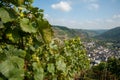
x,y
81,14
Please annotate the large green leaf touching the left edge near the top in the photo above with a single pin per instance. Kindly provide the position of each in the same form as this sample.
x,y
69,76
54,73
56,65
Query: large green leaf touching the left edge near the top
x,y
7,15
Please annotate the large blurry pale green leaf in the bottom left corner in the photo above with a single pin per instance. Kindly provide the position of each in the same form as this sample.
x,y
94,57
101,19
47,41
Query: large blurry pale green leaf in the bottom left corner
x,y
12,68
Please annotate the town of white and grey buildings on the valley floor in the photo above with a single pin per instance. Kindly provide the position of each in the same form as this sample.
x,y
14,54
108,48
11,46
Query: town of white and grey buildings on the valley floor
x,y
98,53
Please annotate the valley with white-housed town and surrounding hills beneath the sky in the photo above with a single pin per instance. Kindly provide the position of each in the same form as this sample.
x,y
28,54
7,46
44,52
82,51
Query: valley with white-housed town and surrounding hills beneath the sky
x,y
100,44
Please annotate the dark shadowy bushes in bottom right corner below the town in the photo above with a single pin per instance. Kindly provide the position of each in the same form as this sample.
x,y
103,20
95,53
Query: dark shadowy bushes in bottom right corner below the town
x,y
109,70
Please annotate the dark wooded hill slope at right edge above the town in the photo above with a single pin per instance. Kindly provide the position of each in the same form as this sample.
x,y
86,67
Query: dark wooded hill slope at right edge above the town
x,y
112,34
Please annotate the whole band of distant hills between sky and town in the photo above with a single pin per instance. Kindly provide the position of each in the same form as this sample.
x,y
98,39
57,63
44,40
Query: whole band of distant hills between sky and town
x,y
105,35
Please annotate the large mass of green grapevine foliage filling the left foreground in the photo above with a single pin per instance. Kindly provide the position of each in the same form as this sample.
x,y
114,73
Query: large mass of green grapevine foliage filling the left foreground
x,y
27,51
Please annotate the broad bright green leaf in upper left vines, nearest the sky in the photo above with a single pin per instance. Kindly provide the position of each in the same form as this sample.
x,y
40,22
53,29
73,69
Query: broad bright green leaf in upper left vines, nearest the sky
x,y
28,26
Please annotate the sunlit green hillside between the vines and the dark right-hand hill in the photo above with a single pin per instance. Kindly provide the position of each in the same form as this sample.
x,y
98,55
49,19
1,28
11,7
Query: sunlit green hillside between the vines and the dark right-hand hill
x,y
63,32
